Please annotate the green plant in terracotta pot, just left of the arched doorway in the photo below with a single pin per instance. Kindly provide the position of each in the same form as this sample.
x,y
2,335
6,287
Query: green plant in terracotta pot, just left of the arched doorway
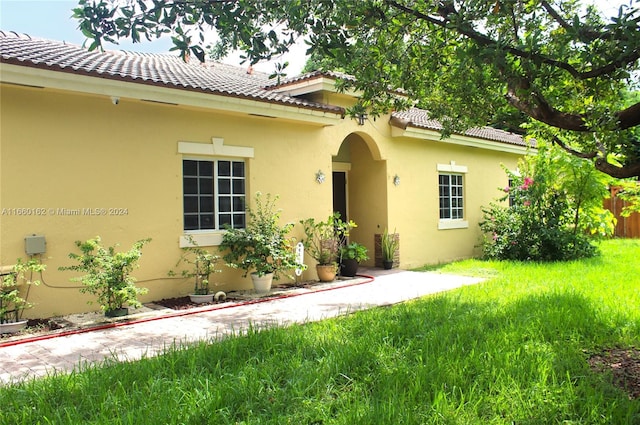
x,y
322,242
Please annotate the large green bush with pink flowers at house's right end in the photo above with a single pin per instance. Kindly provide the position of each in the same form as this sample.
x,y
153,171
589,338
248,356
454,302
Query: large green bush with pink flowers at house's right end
x,y
555,204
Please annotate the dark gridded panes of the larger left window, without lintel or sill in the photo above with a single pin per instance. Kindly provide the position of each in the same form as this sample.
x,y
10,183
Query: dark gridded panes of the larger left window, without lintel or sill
x,y
214,193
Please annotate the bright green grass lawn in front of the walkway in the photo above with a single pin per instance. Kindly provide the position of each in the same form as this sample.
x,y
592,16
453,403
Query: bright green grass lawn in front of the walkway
x,y
512,350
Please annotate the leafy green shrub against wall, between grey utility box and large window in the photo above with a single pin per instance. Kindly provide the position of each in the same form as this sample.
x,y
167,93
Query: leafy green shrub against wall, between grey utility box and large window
x,y
108,275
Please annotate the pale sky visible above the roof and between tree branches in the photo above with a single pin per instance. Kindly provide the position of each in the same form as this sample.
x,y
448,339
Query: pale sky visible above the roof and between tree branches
x,y
51,19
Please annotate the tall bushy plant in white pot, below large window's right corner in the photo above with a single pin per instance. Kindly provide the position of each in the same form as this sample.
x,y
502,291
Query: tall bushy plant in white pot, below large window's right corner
x,y
263,248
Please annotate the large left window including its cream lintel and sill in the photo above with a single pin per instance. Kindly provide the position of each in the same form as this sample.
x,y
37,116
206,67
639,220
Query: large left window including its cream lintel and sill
x,y
214,188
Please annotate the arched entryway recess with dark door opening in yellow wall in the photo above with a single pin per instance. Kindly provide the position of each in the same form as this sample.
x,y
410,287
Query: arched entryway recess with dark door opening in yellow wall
x,y
360,188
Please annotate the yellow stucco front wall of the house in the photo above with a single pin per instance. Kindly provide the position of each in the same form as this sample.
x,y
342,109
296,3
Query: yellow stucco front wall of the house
x,y
62,153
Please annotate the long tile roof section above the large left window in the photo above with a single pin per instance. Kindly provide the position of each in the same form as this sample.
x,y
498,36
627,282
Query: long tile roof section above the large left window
x,y
145,68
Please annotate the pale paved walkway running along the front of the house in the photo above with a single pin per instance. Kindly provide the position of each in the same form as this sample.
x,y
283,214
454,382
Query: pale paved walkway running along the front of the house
x,y
150,335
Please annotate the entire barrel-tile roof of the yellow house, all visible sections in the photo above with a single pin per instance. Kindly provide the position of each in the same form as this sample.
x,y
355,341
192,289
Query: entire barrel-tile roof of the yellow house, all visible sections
x,y
212,77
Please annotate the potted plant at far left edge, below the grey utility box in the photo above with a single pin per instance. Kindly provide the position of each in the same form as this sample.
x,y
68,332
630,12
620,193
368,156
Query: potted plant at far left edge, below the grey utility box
x,y
12,304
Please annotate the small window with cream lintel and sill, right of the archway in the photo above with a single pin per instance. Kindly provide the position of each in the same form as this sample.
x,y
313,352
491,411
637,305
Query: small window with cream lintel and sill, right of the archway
x,y
451,200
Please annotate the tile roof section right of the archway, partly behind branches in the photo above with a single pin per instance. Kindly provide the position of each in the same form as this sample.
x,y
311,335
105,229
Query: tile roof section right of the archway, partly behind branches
x,y
419,118
